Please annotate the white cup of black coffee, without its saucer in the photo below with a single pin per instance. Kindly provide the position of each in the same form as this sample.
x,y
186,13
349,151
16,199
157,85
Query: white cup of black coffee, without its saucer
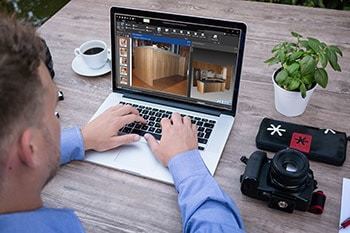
x,y
93,52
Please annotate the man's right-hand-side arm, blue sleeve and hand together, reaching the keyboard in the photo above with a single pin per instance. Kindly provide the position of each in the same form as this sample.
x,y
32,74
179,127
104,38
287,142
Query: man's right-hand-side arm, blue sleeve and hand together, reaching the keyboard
x,y
204,206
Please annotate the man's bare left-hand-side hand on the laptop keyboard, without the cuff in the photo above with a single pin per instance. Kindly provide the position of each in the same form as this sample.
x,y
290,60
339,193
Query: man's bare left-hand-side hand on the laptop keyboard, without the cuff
x,y
101,133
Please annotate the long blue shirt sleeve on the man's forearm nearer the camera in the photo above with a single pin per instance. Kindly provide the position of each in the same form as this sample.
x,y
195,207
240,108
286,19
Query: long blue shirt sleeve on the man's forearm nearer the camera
x,y
204,206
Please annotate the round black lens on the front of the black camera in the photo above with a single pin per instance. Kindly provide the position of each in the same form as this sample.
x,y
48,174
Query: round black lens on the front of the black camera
x,y
289,170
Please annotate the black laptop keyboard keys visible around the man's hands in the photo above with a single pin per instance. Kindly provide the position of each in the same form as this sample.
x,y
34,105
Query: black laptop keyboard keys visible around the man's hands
x,y
154,116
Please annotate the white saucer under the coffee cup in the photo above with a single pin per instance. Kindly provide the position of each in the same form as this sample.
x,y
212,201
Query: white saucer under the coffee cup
x,y
79,67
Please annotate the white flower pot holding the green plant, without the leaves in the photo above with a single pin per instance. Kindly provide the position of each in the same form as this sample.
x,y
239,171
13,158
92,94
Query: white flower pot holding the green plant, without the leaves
x,y
290,103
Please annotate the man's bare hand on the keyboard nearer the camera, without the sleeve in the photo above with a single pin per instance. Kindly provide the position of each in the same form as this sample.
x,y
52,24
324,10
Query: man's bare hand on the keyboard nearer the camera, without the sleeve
x,y
178,135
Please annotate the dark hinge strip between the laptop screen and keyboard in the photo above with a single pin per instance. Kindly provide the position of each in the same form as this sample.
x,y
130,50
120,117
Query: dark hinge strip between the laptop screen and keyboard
x,y
158,100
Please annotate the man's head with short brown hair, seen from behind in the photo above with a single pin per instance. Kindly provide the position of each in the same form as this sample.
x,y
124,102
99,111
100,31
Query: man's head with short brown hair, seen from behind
x,y
29,130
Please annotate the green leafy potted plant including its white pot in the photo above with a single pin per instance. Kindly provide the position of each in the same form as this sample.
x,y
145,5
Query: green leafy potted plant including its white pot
x,y
302,67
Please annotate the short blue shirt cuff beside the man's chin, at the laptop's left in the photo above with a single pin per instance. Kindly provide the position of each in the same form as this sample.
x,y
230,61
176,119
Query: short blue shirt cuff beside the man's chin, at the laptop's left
x,y
72,145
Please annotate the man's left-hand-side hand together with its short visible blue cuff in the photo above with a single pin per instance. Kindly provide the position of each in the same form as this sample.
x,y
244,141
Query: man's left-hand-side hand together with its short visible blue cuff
x,y
99,134
